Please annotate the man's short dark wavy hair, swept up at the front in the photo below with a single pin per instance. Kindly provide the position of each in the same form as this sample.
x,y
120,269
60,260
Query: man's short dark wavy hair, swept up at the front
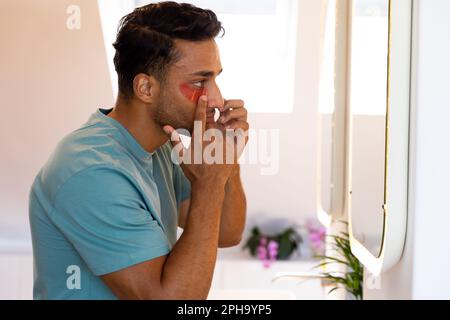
x,y
145,39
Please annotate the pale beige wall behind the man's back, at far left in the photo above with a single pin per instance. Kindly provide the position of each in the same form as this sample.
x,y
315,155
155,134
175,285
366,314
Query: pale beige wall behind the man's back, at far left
x,y
52,79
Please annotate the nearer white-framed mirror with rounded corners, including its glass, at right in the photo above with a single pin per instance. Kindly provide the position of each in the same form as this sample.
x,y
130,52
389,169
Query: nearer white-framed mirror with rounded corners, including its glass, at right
x,y
378,117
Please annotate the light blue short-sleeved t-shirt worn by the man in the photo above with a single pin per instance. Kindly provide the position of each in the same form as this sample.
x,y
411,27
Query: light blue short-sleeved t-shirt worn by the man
x,y
101,204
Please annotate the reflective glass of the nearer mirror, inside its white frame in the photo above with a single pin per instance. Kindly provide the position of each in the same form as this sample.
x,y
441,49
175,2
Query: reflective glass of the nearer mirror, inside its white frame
x,y
368,116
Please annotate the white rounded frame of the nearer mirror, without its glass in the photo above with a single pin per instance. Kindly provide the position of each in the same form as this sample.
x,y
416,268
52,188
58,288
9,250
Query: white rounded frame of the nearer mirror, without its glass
x,y
397,144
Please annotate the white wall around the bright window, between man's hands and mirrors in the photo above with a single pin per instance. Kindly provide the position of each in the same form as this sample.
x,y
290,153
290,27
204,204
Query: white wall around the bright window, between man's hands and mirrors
x,y
291,194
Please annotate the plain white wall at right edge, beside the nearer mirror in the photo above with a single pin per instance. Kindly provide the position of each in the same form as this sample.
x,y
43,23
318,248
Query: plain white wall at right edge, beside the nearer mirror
x,y
423,271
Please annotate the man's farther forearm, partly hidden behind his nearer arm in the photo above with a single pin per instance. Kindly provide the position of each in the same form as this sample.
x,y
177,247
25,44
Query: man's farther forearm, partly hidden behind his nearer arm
x,y
233,212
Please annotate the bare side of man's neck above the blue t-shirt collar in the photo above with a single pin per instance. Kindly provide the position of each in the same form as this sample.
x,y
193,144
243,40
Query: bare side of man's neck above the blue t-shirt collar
x,y
139,121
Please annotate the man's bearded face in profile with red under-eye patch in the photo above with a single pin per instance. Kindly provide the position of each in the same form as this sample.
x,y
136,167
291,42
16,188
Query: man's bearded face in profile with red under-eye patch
x,y
194,73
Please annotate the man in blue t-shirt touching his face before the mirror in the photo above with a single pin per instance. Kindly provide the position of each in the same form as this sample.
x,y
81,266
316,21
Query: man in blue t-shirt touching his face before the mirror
x,y
104,210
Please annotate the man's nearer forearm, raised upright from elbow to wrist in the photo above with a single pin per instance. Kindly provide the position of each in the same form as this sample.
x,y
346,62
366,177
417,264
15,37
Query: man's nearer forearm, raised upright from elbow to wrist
x,y
188,271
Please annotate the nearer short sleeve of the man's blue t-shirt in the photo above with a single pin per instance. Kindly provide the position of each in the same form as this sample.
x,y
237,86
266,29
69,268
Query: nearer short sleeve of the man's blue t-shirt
x,y
103,215
